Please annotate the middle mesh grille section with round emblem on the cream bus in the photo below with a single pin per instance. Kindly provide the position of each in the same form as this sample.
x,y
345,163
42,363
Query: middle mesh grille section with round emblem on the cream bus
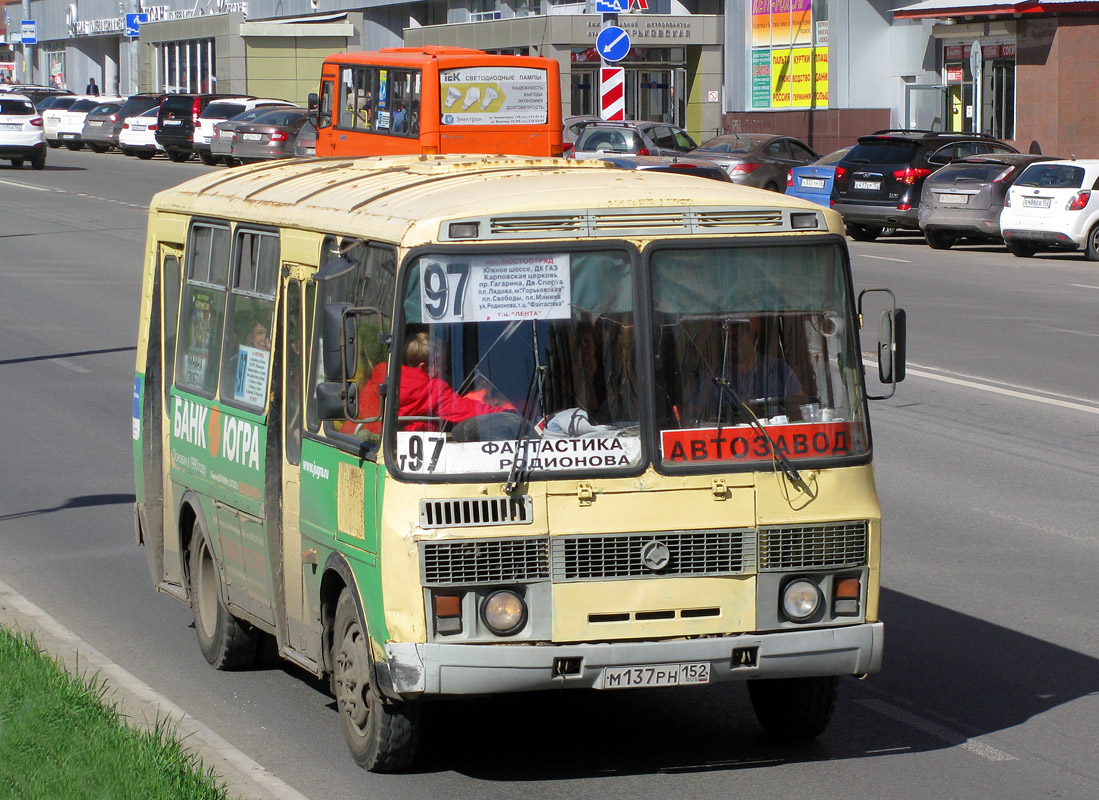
x,y
675,554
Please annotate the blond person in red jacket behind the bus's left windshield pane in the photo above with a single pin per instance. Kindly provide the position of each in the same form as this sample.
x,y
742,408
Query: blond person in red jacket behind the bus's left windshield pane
x,y
424,395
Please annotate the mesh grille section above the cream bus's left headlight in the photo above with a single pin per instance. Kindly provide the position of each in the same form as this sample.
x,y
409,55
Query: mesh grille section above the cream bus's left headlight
x,y
499,561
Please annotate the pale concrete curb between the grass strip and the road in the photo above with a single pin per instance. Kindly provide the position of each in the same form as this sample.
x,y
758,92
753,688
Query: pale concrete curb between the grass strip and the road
x,y
140,705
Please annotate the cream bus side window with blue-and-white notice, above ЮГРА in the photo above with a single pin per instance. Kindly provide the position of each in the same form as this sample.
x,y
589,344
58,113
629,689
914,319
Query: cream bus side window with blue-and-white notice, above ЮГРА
x,y
248,353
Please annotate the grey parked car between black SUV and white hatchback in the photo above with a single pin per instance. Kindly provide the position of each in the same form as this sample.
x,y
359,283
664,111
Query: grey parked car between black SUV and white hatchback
x,y
965,198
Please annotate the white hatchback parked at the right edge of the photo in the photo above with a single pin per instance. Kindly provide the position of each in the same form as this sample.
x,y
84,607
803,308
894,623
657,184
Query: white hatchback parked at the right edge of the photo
x,y
1054,205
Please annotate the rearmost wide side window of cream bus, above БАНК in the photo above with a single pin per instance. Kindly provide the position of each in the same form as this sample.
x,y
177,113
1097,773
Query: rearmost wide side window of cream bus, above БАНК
x,y
203,310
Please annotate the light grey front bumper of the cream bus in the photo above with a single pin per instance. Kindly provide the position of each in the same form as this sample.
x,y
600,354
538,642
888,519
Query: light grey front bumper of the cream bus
x,y
436,669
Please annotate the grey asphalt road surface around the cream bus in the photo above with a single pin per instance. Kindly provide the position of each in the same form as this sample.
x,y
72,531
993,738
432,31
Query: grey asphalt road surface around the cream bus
x,y
986,466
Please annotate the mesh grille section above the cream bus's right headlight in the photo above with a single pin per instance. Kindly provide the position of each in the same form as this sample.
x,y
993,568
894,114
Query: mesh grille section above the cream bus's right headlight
x,y
820,547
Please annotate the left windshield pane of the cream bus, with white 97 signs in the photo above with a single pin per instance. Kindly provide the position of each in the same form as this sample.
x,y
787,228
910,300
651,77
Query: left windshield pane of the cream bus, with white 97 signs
x,y
534,352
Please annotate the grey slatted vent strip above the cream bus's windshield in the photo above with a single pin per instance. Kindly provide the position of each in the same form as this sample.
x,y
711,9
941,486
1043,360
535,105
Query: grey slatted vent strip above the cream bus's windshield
x,y
631,223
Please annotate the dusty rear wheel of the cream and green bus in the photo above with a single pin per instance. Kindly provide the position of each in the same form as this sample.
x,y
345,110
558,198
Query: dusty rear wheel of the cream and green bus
x,y
226,642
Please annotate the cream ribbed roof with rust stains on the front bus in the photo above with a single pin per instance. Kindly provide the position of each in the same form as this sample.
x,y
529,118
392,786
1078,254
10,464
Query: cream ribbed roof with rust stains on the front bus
x,y
408,199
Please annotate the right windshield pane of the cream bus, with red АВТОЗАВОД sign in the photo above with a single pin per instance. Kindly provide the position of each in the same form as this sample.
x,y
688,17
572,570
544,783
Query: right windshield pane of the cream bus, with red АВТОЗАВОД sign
x,y
756,336
